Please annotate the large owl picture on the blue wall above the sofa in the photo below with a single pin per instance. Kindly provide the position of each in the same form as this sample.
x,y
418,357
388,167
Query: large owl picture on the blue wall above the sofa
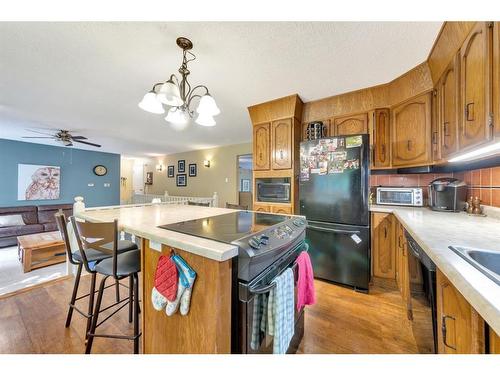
x,y
36,182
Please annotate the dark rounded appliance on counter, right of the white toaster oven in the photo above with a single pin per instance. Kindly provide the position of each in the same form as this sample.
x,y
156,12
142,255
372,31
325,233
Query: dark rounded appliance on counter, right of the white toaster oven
x,y
447,194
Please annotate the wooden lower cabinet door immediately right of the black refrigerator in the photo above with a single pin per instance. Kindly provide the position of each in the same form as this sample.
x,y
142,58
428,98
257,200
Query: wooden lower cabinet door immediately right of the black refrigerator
x,y
383,249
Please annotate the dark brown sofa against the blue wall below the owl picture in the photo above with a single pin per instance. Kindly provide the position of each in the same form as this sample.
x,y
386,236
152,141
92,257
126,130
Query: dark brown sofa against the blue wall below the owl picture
x,y
37,219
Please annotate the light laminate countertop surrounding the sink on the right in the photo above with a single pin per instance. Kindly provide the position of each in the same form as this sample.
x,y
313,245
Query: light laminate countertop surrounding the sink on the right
x,y
435,231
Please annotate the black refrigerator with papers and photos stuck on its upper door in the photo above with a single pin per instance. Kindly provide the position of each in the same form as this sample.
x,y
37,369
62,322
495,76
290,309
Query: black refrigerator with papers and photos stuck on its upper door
x,y
333,194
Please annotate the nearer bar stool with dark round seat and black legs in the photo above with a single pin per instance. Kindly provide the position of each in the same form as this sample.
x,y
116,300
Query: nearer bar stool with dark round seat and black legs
x,y
103,237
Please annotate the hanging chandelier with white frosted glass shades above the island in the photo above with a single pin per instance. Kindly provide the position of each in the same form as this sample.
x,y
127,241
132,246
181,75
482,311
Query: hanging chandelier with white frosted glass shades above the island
x,y
178,96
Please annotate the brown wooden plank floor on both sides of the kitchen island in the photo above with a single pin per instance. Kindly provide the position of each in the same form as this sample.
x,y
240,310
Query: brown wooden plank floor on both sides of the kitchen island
x,y
342,321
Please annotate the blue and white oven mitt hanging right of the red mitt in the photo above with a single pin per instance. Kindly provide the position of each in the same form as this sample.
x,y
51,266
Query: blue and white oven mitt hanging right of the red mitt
x,y
184,289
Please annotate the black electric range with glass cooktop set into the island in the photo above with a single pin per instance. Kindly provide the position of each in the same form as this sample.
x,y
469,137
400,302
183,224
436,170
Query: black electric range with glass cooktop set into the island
x,y
268,244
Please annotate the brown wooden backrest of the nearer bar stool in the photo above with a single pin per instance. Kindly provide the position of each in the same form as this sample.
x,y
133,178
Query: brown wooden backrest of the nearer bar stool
x,y
97,236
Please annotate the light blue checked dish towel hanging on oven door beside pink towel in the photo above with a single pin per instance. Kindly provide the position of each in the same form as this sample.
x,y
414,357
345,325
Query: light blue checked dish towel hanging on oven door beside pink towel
x,y
280,309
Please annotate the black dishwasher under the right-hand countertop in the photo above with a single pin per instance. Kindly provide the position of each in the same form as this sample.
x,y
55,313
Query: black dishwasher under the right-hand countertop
x,y
429,279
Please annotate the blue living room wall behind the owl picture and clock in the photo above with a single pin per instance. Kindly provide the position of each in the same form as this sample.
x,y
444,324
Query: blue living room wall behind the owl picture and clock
x,y
76,173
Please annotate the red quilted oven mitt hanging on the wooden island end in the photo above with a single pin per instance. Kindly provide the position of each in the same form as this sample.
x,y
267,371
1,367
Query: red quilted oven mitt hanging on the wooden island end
x,y
165,282
